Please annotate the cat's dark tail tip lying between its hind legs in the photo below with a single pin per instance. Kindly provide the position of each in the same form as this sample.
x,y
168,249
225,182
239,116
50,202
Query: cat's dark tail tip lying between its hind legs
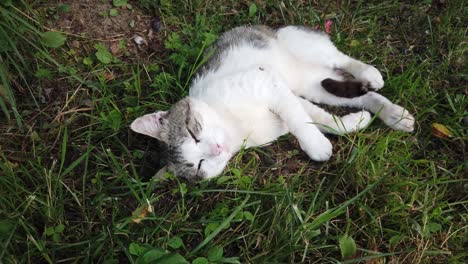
x,y
347,88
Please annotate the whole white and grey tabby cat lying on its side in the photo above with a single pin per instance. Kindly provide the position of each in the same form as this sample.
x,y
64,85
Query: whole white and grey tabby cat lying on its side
x,y
258,84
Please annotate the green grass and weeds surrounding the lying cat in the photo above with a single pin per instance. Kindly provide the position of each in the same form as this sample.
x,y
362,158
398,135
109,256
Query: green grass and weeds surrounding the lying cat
x,y
73,177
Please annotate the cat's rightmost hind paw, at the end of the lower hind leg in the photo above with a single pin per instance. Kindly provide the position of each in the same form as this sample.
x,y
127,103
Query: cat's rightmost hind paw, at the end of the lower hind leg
x,y
398,118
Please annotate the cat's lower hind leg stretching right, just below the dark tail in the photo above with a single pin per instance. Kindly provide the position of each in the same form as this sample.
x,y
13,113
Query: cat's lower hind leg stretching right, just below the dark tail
x,y
392,114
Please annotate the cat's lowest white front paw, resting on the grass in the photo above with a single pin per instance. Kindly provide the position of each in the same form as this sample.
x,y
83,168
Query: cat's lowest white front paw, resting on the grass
x,y
318,148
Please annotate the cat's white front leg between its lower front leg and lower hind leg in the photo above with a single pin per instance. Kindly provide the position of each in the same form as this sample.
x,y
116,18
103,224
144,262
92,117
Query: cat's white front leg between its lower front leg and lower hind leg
x,y
332,124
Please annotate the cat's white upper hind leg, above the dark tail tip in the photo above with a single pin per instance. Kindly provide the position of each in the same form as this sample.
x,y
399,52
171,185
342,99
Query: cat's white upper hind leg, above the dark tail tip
x,y
313,47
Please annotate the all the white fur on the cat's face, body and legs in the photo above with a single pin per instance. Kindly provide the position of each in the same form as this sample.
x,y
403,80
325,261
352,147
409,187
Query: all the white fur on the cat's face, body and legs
x,y
255,97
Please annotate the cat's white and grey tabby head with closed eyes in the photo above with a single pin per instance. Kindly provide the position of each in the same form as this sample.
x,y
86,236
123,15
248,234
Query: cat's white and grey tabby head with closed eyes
x,y
196,137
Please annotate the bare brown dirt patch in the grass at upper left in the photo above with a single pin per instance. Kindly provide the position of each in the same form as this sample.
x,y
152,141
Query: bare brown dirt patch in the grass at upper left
x,y
90,21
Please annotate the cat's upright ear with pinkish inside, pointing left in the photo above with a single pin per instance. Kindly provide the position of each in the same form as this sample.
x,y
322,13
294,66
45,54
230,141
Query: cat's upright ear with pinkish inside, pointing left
x,y
150,124
